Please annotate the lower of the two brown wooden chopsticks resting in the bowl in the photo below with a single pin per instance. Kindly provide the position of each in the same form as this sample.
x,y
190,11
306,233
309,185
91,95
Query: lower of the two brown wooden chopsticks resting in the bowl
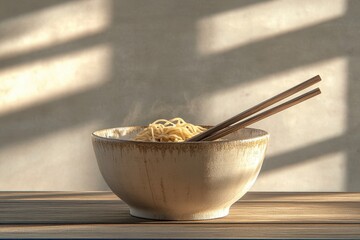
x,y
262,115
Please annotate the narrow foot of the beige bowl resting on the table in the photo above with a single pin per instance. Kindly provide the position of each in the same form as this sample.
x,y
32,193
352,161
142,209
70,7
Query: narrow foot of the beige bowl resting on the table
x,y
210,214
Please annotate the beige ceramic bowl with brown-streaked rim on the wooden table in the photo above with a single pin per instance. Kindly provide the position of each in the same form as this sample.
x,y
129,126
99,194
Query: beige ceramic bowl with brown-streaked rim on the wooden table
x,y
179,181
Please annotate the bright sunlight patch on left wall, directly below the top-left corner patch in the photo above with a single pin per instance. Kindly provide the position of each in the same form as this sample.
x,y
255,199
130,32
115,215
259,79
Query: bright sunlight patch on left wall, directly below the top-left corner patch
x,y
47,79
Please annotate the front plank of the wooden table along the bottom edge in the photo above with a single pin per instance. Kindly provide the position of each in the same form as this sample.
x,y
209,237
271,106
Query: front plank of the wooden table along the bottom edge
x,y
183,231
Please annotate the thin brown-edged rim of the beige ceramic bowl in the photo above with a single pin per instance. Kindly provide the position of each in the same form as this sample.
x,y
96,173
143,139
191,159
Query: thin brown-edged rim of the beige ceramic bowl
x,y
264,135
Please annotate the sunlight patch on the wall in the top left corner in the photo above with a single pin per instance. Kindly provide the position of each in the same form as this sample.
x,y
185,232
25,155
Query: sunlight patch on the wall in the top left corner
x,y
53,26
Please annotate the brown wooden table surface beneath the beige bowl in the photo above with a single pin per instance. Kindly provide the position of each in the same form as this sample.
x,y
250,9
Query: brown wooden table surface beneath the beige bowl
x,y
103,215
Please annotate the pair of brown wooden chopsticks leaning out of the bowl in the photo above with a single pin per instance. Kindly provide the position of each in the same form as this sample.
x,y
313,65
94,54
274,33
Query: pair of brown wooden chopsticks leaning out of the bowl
x,y
241,120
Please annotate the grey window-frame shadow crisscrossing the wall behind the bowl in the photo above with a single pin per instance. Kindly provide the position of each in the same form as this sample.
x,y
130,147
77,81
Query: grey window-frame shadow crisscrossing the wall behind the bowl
x,y
154,45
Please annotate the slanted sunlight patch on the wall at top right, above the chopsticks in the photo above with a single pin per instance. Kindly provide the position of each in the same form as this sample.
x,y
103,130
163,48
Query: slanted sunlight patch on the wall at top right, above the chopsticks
x,y
229,30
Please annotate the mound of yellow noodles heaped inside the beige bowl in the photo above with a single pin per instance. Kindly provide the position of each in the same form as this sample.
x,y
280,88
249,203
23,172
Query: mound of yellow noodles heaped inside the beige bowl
x,y
174,130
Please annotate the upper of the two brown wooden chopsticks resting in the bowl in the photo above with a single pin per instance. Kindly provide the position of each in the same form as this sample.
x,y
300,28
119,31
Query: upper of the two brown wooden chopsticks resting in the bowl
x,y
255,109
